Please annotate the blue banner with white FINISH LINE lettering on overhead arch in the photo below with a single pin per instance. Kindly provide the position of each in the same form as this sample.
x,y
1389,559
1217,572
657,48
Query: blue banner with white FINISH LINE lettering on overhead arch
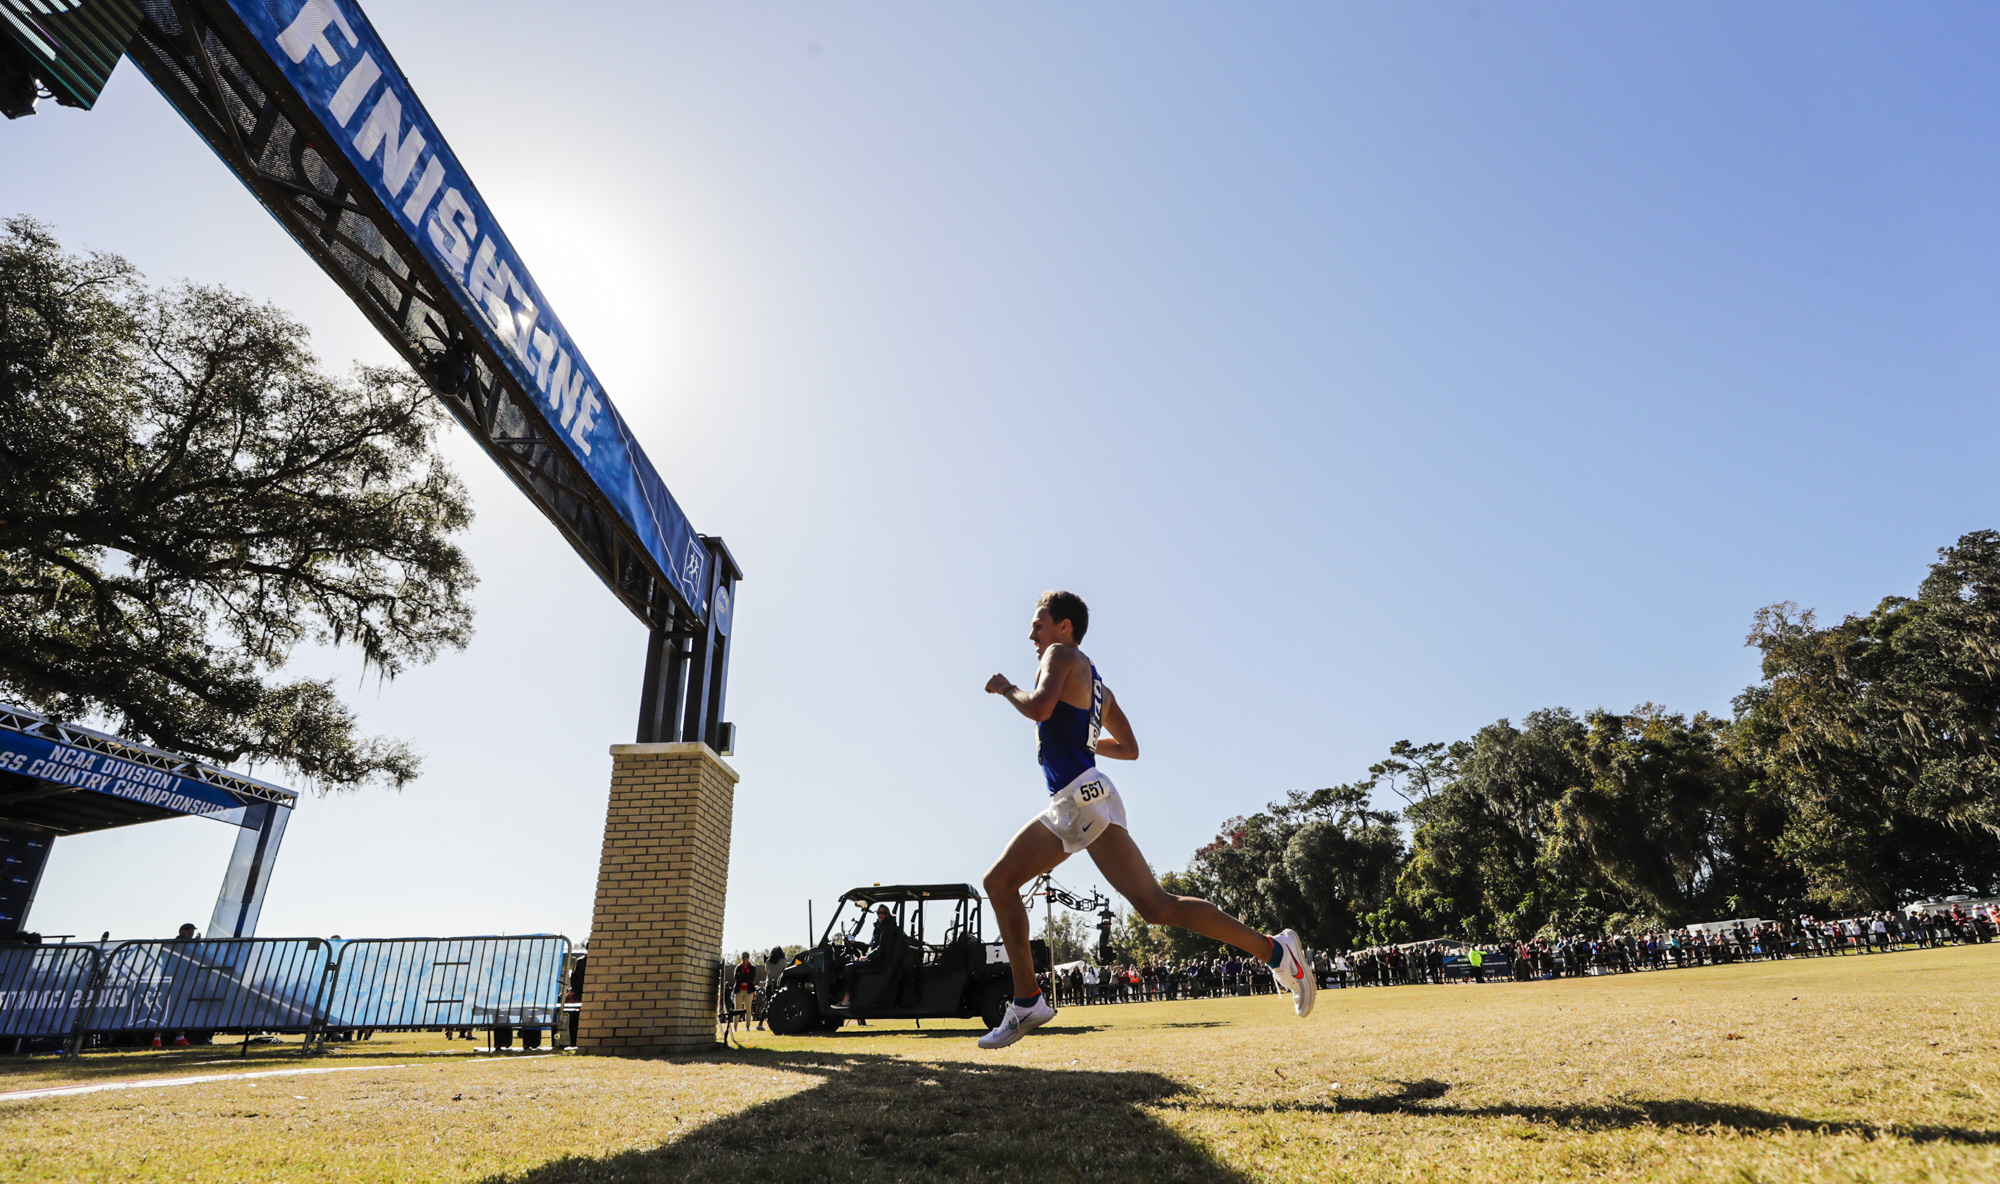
x,y
331,53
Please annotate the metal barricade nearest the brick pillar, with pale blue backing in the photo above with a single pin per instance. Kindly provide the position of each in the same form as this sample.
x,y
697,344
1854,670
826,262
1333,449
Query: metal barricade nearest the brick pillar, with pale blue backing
x,y
449,983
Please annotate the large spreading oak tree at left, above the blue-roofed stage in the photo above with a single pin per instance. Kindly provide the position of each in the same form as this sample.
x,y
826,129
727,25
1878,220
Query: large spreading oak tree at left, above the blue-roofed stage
x,y
187,499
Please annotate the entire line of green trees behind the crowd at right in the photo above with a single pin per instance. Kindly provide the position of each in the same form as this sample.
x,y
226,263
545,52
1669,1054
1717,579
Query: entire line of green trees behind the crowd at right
x,y
1861,773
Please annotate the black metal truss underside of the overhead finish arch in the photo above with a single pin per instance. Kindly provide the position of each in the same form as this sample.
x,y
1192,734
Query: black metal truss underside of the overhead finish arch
x,y
255,121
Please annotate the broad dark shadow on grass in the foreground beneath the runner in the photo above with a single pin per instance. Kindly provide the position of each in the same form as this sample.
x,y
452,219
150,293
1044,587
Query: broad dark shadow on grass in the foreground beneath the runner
x,y
881,1119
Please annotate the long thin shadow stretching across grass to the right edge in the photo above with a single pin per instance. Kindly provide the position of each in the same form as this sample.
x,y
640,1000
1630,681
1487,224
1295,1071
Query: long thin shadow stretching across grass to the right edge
x,y
1427,1099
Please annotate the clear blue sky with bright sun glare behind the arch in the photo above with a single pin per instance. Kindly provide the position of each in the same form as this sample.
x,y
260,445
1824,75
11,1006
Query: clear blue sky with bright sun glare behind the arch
x,y
1373,371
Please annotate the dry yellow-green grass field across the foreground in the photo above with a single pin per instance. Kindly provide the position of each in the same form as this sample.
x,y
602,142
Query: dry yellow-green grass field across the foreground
x,y
1851,1069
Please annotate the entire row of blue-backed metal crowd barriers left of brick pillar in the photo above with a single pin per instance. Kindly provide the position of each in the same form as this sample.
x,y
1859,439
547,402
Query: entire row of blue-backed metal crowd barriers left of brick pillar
x,y
281,985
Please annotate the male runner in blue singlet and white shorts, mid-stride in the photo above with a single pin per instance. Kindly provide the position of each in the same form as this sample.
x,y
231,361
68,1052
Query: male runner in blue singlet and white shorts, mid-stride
x,y
1079,721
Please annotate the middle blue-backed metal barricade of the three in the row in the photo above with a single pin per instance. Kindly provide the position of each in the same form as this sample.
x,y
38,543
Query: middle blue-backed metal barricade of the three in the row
x,y
235,985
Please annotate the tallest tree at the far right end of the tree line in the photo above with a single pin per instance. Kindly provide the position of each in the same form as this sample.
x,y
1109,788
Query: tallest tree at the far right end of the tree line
x,y
1881,735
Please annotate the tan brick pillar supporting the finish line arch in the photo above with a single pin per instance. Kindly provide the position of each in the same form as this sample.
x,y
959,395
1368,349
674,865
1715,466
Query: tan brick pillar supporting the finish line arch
x,y
657,929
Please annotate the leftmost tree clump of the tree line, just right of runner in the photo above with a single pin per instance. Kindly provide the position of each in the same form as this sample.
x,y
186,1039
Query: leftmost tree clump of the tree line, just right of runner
x,y
1319,863
